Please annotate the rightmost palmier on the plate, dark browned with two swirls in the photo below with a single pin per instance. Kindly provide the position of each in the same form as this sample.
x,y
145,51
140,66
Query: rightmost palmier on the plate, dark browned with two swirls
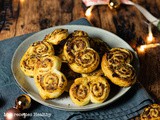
x,y
116,66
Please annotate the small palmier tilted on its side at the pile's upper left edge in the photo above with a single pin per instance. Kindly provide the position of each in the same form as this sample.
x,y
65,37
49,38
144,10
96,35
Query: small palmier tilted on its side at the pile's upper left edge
x,y
56,36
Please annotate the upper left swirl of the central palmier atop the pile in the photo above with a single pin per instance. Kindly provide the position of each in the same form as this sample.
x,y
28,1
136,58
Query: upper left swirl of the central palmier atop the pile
x,y
74,45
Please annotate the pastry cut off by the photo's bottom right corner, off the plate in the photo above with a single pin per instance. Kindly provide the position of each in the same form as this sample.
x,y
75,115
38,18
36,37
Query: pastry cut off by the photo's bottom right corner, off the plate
x,y
152,112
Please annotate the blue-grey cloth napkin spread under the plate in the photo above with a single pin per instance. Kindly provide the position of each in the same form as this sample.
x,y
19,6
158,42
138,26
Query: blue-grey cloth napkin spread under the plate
x,y
127,107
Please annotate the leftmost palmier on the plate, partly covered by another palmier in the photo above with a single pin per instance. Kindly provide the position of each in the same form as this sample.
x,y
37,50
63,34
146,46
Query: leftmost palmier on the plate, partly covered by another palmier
x,y
32,55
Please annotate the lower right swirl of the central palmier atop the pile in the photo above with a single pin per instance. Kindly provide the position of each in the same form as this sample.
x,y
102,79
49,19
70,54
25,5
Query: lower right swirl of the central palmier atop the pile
x,y
85,61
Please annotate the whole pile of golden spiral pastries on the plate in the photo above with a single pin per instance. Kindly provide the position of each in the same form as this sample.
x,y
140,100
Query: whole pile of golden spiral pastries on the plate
x,y
75,63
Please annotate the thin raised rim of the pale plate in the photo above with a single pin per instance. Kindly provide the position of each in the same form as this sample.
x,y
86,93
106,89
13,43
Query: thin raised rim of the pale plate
x,y
68,108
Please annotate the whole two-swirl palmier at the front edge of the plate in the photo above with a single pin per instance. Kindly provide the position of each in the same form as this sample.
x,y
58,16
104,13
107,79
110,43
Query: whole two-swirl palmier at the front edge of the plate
x,y
85,89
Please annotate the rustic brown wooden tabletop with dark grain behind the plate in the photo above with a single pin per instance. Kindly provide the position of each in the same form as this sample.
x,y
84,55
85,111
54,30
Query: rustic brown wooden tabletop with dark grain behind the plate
x,y
19,17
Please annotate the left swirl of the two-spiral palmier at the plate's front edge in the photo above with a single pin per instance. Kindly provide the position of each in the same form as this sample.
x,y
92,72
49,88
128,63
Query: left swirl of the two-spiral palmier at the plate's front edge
x,y
80,92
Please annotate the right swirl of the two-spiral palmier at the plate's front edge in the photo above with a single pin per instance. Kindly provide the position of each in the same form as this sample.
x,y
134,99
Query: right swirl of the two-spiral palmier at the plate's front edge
x,y
99,89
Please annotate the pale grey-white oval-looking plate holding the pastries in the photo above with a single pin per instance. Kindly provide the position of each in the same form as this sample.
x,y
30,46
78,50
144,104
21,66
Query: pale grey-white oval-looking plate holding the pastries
x,y
64,102
